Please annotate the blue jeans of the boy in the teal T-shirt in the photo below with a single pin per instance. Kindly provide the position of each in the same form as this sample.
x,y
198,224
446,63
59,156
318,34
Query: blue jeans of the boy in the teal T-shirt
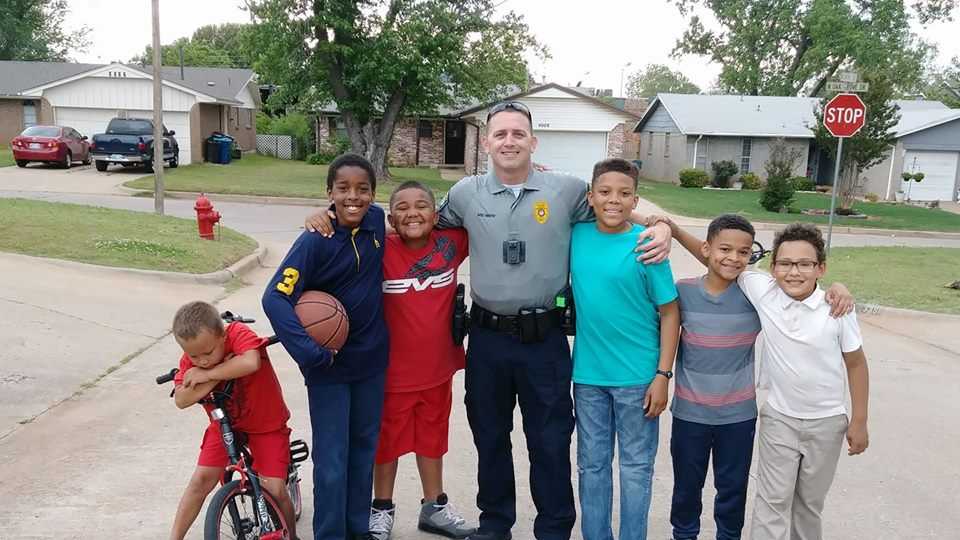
x,y
603,414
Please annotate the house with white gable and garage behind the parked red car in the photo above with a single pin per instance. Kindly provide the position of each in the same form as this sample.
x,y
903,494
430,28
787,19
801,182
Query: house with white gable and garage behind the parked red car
x,y
196,100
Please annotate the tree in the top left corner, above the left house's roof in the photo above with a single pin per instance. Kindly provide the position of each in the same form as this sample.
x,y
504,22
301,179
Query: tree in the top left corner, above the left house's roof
x,y
33,30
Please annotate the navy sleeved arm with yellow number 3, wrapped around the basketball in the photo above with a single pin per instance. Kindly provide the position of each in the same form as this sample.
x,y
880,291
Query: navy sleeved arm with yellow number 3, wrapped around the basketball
x,y
298,269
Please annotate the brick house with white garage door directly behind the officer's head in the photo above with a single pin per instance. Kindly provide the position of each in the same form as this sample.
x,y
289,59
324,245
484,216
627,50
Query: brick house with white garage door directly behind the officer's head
x,y
574,131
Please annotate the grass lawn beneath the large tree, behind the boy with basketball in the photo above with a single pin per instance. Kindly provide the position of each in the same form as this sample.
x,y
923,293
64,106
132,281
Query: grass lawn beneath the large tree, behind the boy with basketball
x,y
261,175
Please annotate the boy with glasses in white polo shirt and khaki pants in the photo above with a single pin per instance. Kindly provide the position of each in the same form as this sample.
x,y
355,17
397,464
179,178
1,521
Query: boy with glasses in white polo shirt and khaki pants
x,y
804,421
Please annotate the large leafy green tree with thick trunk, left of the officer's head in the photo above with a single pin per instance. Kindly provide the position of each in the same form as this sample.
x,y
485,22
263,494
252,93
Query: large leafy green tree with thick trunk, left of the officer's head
x,y
379,59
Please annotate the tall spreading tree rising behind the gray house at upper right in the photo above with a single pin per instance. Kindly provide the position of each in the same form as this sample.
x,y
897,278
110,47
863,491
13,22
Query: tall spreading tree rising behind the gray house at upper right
x,y
792,47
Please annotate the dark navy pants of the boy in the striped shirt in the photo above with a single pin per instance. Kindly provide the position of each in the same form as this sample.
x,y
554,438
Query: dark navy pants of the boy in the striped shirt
x,y
691,445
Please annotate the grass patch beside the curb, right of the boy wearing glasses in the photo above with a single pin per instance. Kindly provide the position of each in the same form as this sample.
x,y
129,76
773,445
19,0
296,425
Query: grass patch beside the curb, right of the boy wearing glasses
x,y
911,278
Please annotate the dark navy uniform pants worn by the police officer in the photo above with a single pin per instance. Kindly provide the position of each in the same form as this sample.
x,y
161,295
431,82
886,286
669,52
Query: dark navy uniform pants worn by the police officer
x,y
501,371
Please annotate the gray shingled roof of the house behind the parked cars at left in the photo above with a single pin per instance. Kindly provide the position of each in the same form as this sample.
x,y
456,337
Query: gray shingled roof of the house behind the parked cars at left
x,y
15,77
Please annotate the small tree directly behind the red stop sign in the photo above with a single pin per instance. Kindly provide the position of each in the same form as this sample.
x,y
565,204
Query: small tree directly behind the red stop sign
x,y
869,146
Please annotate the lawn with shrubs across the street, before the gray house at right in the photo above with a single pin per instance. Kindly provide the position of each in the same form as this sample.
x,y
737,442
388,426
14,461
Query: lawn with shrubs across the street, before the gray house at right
x,y
708,204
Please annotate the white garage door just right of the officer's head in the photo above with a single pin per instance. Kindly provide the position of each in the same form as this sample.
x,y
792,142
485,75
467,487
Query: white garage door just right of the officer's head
x,y
573,152
